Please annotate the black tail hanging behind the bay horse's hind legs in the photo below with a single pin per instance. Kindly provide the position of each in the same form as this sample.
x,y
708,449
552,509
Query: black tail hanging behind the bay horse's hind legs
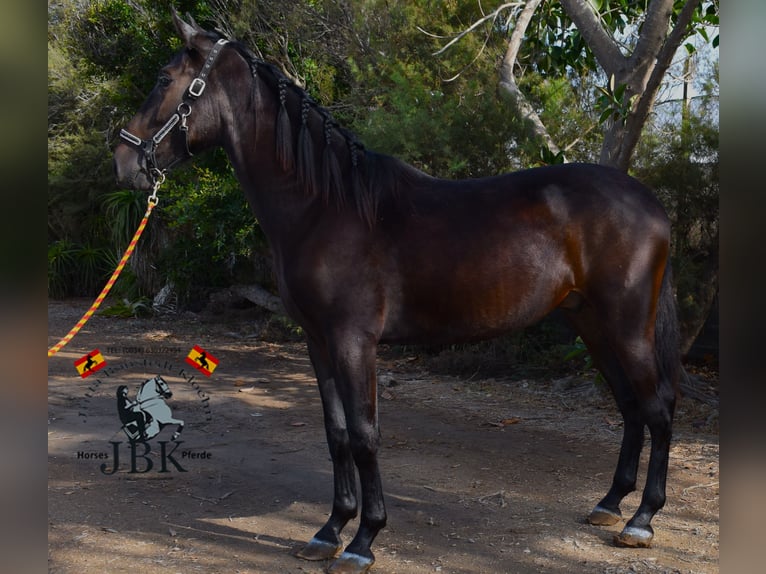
x,y
667,338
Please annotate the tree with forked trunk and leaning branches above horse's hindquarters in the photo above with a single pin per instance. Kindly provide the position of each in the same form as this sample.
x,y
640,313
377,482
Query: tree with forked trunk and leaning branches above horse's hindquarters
x,y
632,43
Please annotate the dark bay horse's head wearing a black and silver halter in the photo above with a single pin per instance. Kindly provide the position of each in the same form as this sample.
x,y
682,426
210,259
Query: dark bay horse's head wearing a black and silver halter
x,y
176,118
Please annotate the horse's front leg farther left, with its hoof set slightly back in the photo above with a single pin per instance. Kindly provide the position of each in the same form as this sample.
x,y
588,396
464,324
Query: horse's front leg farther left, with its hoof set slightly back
x,y
326,543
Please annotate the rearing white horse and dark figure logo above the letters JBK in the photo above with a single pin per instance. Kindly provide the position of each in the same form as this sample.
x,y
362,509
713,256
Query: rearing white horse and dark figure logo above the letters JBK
x,y
144,417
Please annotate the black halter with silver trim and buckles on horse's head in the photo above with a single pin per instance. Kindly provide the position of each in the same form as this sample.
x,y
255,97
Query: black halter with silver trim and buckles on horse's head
x,y
183,111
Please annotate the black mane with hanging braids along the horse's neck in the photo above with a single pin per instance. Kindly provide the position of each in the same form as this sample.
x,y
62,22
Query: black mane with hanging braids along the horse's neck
x,y
373,178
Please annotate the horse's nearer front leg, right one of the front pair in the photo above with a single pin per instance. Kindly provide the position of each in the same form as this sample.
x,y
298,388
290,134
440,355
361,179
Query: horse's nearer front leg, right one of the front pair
x,y
354,366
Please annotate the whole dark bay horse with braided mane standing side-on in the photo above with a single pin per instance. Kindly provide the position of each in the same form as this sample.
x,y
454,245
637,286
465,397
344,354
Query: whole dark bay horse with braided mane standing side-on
x,y
368,249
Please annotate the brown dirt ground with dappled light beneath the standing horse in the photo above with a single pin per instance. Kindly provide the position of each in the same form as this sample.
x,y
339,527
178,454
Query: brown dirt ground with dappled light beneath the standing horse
x,y
481,475
